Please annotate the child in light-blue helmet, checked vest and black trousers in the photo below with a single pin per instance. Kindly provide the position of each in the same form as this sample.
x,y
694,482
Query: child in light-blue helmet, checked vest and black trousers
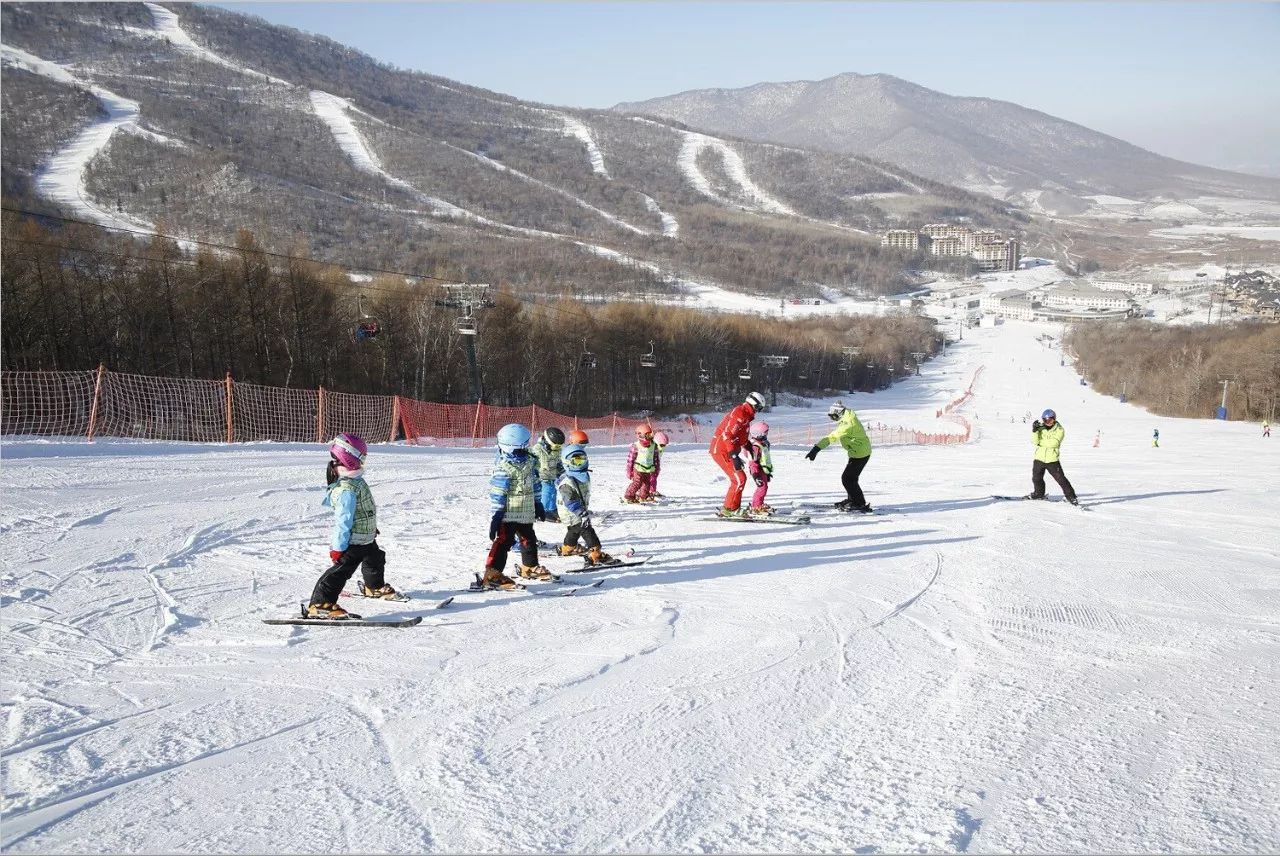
x,y
515,505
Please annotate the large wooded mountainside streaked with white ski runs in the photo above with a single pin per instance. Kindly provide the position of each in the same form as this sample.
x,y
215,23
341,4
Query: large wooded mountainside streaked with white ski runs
x,y
208,122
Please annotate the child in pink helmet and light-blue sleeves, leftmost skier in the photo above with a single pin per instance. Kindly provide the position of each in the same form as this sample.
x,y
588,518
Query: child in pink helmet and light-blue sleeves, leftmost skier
x,y
355,533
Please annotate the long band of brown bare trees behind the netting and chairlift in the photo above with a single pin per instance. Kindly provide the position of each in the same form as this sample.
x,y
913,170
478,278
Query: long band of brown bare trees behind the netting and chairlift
x,y
80,296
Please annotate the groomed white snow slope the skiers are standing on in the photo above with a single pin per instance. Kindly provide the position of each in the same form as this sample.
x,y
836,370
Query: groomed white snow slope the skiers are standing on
x,y
958,675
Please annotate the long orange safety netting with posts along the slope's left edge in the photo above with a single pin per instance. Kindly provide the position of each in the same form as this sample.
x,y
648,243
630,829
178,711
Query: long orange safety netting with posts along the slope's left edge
x,y
104,404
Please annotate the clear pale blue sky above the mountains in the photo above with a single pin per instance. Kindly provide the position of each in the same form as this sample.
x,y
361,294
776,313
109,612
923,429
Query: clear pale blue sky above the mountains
x,y
1196,81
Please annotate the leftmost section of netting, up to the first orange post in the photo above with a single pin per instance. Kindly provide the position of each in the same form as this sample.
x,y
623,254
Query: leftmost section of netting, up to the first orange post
x,y
48,404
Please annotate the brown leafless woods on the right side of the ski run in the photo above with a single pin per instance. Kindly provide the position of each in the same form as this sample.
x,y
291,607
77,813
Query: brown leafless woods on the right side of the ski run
x,y
1180,370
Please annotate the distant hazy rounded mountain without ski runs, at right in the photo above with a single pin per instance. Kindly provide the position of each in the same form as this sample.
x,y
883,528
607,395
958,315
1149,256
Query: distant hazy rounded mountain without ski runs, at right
x,y
984,145
